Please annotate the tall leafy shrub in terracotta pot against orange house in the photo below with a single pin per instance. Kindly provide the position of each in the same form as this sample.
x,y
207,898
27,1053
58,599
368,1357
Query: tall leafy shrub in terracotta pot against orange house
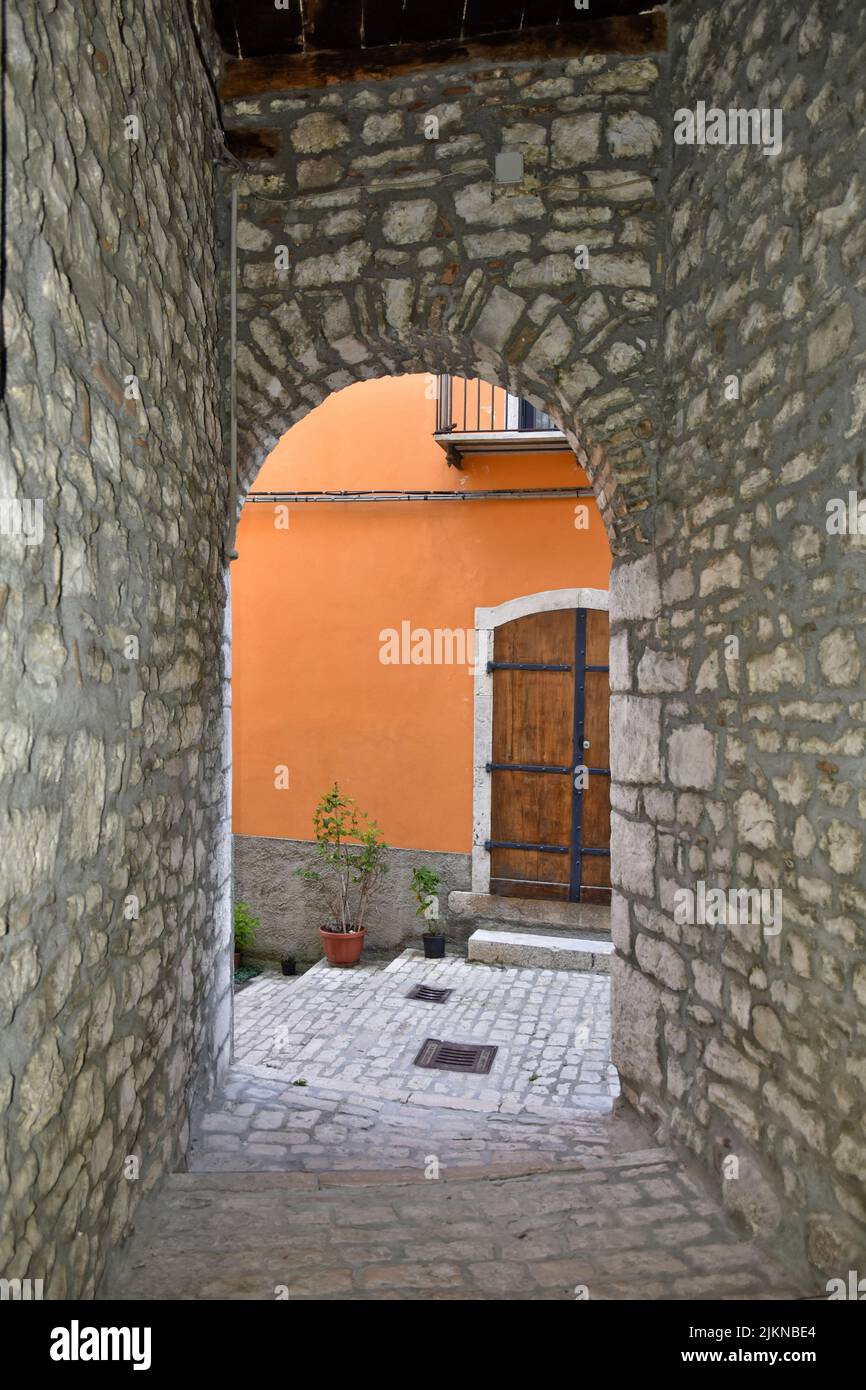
x,y
352,854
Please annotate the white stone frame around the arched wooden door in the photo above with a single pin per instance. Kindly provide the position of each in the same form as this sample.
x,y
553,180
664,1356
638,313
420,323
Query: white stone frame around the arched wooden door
x,y
487,621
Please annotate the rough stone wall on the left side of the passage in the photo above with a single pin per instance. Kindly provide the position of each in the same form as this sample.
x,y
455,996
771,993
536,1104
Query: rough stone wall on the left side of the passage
x,y
115,875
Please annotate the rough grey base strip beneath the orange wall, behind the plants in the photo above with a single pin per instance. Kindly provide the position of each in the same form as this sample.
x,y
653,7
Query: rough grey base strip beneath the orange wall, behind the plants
x,y
266,876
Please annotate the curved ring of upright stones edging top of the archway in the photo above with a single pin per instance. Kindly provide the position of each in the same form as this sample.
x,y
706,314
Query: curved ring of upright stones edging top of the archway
x,y
288,368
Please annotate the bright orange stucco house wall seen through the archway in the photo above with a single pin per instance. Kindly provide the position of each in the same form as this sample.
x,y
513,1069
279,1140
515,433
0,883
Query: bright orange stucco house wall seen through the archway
x,y
309,605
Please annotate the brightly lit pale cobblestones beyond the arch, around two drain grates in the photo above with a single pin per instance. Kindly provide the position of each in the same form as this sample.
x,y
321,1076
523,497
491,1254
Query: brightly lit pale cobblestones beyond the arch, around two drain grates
x,y
358,1032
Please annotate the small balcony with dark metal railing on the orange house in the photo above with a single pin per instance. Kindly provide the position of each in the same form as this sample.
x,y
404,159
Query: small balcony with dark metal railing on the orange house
x,y
477,418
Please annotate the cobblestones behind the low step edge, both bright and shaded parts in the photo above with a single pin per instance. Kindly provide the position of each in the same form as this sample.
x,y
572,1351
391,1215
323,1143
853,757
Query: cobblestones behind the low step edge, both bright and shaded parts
x,y
351,1038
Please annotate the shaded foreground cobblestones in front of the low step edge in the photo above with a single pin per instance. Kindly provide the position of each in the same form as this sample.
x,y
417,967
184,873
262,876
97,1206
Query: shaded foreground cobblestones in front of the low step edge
x,y
632,1227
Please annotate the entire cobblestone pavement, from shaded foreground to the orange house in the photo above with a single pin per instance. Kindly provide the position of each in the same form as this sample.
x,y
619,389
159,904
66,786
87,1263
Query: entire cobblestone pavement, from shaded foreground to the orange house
x,y
375,1184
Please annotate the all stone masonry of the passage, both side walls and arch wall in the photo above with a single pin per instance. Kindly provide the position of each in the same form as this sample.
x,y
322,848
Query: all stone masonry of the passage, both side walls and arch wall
x,y
369,248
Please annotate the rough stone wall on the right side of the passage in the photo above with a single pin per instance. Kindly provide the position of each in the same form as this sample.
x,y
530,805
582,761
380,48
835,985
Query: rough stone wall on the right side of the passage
x,y
746,768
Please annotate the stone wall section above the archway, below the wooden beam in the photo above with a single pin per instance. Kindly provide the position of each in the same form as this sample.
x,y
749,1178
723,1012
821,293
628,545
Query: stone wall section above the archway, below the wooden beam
x,y
373,240
